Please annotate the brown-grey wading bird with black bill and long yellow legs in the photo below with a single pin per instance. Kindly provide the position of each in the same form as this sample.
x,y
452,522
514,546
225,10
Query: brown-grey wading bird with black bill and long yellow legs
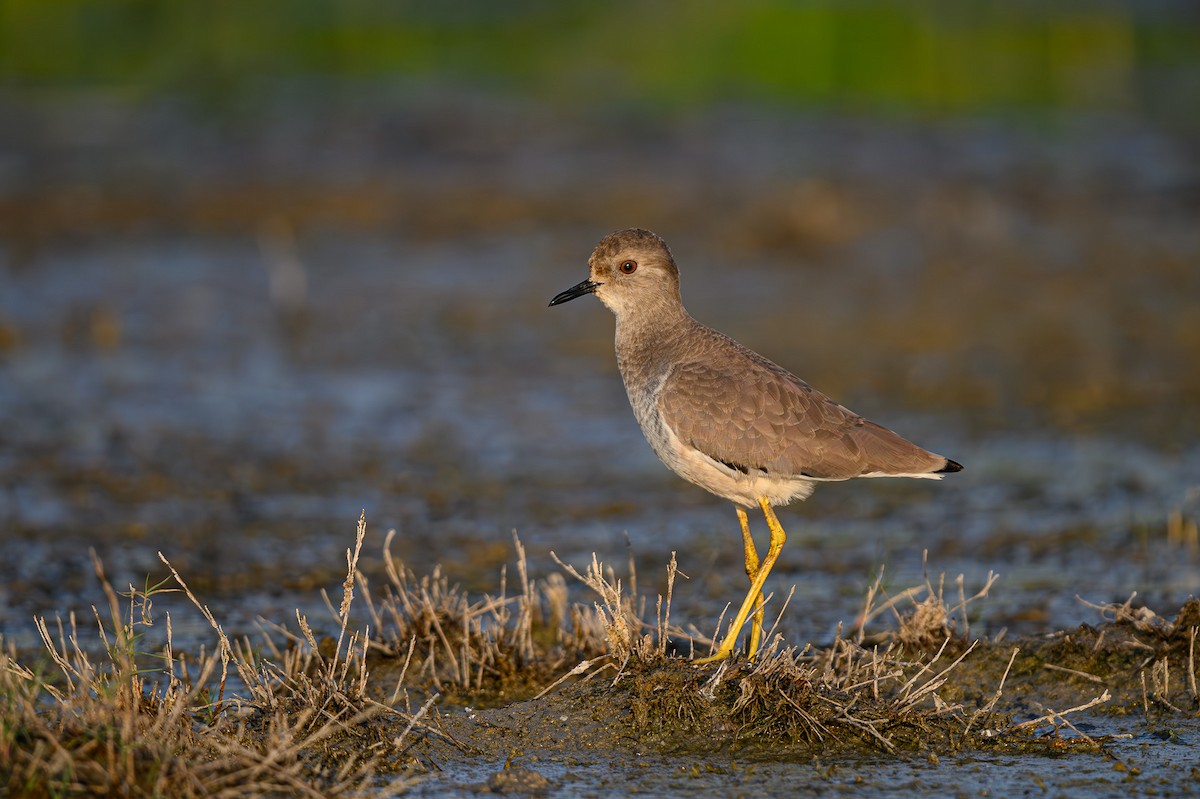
x,y
728,419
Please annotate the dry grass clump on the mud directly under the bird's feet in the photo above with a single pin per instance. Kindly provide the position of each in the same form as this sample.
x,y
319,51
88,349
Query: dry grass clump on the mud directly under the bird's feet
x,y
842,696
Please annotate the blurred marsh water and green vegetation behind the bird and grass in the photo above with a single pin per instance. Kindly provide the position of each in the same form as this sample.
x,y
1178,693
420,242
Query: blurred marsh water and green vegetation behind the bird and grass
x,y
263,266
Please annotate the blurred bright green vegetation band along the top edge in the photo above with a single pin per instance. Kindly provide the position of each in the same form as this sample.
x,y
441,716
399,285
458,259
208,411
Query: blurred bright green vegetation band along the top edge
x,y
921,58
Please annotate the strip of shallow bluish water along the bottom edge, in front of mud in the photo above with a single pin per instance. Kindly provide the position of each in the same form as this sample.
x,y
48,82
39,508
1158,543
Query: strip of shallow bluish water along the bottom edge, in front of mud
x,y
1144,764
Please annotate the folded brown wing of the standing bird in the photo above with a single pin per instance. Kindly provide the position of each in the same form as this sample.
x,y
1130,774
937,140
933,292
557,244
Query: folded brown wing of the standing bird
x,y
758,416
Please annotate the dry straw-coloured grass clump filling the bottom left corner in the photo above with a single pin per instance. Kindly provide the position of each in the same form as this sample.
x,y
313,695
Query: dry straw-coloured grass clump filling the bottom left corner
x,y
135,724
